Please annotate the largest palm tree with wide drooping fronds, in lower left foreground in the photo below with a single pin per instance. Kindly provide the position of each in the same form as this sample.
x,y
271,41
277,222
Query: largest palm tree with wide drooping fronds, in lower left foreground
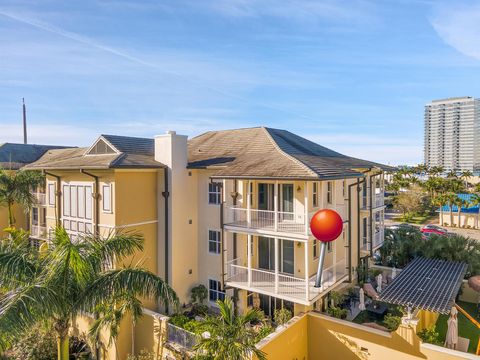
x,y
71,277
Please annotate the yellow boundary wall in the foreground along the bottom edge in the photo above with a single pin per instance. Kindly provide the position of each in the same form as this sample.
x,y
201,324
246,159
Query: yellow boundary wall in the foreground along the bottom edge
x,y
329,338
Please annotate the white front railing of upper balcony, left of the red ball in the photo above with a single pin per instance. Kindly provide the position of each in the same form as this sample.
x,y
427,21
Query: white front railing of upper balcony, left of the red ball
x,y
276,221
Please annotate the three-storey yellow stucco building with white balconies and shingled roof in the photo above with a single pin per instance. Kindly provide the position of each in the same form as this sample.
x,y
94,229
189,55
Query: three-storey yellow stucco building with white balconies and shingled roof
x,y
226,209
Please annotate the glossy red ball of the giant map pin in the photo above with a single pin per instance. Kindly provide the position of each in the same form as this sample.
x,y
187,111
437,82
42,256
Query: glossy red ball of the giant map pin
x,y
326,225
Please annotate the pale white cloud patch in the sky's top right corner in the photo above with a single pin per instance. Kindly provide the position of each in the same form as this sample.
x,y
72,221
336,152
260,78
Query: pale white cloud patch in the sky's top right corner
x,y
458,25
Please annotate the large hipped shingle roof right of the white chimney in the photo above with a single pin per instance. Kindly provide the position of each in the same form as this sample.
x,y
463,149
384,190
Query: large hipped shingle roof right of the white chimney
x,y
271,153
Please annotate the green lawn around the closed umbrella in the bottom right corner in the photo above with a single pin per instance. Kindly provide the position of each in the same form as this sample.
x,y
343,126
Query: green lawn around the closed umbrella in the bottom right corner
x,y
465,328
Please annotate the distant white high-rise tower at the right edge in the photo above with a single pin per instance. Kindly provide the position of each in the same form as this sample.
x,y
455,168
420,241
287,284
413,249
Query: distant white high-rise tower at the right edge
x,y
452,133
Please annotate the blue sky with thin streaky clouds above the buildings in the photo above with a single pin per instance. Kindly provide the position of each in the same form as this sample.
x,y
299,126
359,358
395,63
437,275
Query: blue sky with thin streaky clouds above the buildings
x,y
351,75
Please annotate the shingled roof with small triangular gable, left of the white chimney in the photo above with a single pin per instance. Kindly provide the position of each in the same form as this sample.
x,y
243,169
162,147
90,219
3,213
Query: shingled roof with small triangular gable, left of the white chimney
x,y
133,153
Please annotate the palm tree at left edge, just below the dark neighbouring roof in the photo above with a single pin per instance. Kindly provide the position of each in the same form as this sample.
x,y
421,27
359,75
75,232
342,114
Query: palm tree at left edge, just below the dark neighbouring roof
x,y
17,187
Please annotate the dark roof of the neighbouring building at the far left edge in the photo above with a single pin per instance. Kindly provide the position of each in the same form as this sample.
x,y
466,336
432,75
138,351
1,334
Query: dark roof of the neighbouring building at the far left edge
x,y
14,156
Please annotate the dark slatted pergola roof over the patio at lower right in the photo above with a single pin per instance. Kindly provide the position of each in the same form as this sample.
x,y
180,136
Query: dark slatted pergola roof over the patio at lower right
x,y
428,284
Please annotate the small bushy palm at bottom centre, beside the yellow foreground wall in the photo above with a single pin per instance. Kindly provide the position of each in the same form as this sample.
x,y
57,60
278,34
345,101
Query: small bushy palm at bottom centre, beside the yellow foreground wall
x,y
230,336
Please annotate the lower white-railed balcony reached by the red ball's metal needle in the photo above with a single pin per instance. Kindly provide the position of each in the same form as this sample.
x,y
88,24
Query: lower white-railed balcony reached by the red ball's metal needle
x,y
284,286
